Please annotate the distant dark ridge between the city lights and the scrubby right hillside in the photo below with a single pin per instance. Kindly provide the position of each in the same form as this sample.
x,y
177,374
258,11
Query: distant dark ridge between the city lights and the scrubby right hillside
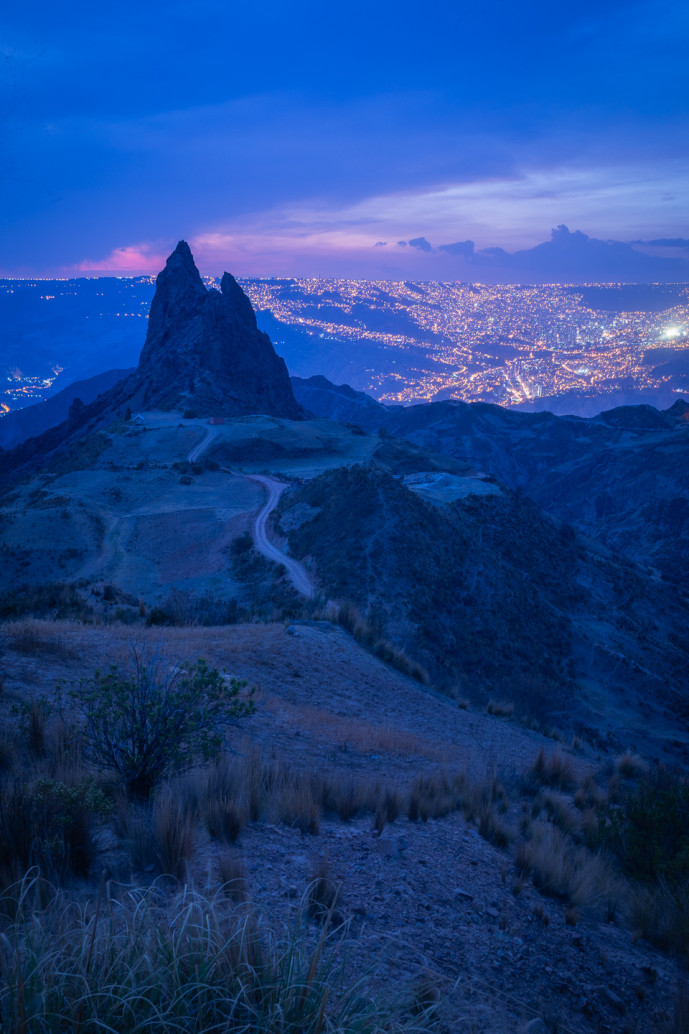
x,y
621,478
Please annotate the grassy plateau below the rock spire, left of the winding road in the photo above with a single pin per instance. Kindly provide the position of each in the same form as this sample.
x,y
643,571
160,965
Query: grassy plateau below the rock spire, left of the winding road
x,y
126,507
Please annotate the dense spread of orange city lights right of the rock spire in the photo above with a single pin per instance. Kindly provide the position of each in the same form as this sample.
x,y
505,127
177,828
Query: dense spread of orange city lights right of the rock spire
x,y
503,344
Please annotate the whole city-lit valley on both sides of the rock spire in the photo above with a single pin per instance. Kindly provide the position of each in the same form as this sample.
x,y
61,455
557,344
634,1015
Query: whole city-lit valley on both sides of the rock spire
x,y
401,342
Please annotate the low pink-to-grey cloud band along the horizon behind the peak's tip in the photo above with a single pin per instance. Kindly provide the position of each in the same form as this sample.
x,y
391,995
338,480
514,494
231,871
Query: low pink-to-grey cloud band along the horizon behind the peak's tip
x,y
570,257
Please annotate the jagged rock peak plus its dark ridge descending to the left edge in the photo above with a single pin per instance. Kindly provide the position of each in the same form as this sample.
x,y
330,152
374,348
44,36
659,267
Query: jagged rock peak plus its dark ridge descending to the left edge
x,y
203,353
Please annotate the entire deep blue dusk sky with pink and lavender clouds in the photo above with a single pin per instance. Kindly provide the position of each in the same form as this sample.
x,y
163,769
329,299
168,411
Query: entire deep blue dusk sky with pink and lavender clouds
x,y
495,141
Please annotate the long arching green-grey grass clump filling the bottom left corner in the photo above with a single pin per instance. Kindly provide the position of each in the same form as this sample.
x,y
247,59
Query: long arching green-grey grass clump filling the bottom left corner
x,y
189,963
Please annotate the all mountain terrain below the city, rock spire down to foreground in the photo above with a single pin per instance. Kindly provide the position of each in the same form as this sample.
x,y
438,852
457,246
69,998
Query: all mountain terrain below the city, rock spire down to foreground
x,y
498,878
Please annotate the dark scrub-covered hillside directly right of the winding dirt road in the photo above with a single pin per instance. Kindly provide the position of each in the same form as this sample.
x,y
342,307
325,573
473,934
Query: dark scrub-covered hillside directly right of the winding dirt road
x,y
496,599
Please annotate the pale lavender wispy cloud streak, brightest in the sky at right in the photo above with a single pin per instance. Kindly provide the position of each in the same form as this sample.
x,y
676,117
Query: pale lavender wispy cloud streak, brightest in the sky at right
x,y
510,211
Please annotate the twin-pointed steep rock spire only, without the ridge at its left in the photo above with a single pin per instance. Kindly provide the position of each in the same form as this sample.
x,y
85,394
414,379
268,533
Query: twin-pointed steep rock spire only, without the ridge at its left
x,y
204,350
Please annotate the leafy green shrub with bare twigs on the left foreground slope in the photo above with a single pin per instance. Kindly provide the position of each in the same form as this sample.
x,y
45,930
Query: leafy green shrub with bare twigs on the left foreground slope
x,y
156,721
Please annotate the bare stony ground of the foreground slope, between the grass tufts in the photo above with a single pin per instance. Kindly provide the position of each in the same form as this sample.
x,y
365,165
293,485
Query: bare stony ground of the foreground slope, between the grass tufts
x,y
430,908
